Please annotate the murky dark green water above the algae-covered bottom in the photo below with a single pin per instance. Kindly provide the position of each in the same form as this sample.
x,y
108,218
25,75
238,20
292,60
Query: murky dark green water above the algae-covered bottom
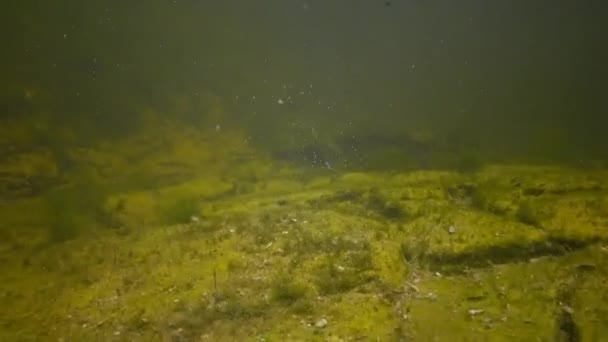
x,y
509,79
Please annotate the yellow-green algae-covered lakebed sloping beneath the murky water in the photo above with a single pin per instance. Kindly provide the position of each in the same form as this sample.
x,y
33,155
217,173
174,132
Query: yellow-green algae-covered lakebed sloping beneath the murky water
x,y
185,241
